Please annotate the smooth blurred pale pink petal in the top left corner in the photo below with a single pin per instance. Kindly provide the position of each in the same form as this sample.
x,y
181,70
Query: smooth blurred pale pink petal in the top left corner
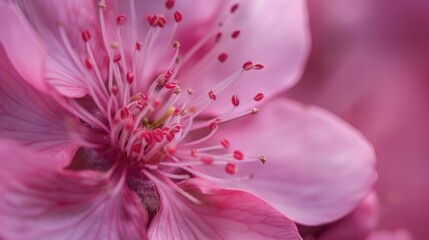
x,y
22,46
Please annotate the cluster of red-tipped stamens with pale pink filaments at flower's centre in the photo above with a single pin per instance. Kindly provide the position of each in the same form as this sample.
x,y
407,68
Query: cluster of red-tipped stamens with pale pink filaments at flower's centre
x,y
151,126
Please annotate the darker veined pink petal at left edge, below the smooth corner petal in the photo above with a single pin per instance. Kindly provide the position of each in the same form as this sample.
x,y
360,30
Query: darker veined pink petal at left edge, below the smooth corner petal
x,y
32,117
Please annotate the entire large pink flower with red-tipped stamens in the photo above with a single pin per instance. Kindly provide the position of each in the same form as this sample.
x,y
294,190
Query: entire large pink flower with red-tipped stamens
x,y
134,120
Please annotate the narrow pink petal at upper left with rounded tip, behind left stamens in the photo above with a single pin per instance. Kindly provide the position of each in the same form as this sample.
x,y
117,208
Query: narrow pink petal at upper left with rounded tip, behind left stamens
x,y
47,18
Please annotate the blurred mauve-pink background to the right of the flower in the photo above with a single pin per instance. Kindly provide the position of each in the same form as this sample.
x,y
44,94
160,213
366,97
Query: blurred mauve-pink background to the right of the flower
x,y
369,64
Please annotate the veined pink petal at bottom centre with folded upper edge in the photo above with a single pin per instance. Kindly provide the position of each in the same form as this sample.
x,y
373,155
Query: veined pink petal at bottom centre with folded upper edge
x,y
222,214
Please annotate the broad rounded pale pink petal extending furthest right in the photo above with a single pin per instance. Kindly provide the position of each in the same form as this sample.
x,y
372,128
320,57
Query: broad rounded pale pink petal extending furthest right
x,y
318,168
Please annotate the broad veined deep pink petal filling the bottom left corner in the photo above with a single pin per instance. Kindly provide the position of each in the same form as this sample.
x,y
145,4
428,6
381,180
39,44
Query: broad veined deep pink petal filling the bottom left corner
x,y
41,201
